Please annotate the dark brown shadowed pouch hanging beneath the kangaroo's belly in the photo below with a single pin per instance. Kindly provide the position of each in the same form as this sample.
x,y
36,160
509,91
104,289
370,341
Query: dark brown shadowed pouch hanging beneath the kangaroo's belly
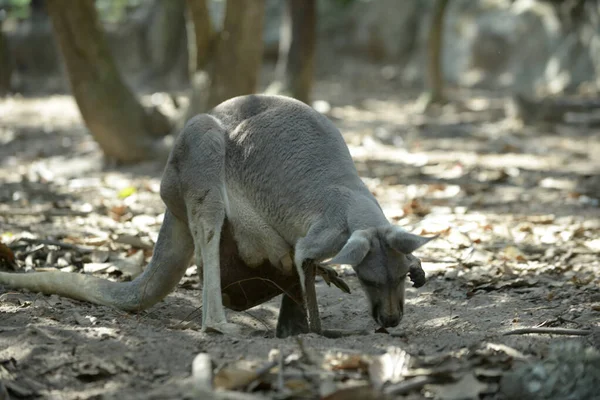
x,y
244,287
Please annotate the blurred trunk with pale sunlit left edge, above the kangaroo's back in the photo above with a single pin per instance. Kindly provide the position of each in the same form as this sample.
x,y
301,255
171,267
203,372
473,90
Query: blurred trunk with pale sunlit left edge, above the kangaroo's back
x,y
297,41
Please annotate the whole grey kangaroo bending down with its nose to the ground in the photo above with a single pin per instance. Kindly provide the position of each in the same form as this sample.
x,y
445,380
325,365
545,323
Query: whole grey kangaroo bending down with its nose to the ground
x,y
261,189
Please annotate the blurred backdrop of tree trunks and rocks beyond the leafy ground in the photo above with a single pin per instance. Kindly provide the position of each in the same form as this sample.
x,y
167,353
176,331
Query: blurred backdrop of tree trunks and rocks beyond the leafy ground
x,y
191,55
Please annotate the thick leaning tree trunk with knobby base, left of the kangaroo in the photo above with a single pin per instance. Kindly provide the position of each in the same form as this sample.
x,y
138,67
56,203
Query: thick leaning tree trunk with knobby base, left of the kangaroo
x,y
125,131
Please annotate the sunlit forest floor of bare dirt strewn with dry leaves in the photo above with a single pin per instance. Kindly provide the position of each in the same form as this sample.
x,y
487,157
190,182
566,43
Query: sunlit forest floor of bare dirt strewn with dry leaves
x,y
517,209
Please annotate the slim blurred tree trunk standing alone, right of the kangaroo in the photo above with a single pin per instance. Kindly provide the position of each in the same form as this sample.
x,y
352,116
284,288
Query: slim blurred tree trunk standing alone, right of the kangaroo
x,y
435,70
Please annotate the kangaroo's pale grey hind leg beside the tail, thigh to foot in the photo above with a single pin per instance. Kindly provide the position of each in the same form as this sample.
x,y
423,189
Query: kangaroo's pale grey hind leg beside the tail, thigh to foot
x,y
202,183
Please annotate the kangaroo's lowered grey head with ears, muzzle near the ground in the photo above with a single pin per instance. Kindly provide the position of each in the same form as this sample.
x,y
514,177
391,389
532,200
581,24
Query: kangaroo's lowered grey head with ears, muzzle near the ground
x,y
381,258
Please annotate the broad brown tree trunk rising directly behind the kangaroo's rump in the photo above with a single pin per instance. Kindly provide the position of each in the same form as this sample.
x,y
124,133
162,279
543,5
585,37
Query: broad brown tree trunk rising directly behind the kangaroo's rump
x,y
238,53
